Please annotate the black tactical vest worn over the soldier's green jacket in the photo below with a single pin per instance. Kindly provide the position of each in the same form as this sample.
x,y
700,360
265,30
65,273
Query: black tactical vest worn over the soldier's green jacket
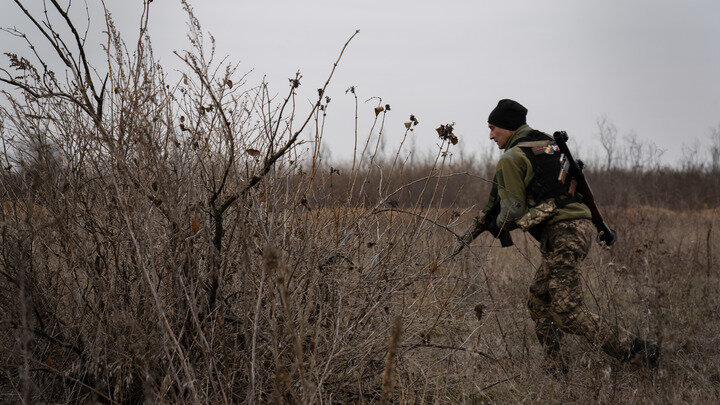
x,y
544,156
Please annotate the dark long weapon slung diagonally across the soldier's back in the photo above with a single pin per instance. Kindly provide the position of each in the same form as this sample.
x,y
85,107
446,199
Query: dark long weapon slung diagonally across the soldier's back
x,y
574,168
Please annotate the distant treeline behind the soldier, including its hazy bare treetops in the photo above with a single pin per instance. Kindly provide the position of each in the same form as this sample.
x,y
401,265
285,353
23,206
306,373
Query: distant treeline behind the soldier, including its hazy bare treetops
x,y
624,171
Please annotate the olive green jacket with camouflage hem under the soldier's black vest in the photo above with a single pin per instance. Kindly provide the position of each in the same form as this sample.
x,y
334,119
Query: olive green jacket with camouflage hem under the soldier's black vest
x,y
513,174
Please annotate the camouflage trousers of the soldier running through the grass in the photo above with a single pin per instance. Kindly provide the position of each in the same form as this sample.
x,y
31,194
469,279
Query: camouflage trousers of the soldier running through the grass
x,y
556,297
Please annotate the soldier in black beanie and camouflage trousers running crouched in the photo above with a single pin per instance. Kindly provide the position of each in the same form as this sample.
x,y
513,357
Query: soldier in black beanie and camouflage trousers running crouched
x,y
528,194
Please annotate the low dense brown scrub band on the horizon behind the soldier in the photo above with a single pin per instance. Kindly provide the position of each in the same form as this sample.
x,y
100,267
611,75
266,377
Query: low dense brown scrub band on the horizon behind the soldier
x,y
468,184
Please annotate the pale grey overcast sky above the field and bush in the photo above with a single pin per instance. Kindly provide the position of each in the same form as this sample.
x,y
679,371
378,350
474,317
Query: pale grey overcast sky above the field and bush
x,y
650,66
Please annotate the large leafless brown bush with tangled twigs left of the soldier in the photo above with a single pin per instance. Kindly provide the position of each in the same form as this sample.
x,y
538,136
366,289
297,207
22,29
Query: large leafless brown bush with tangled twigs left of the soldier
x,y
160,240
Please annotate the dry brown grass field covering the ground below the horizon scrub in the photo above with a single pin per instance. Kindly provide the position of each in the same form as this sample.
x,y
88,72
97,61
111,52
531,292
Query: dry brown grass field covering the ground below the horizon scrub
x,y
289,326
